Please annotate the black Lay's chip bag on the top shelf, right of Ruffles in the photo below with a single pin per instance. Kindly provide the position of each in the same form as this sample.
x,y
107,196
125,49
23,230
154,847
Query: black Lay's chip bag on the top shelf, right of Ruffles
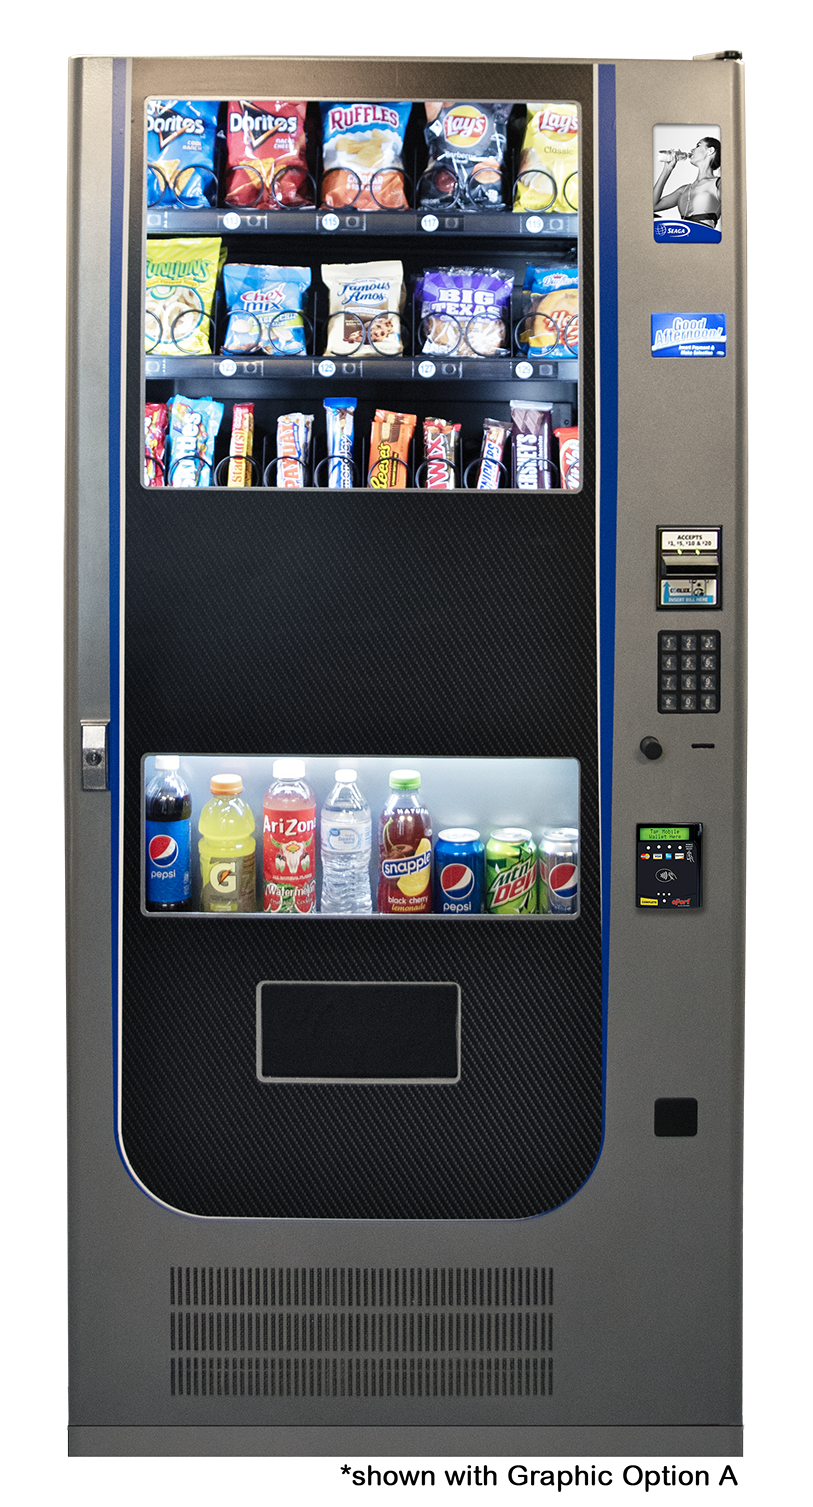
x,y
467,147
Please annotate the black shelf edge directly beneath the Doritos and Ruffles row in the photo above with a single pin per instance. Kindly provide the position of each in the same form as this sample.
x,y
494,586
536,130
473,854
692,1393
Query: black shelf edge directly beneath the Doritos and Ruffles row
x,y
387,224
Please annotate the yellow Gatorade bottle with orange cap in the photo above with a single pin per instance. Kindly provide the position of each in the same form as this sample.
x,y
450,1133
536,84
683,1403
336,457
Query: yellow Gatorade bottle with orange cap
x,y
227,849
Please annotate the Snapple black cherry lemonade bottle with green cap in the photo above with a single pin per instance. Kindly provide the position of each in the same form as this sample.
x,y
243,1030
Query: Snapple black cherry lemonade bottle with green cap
x,y
405,849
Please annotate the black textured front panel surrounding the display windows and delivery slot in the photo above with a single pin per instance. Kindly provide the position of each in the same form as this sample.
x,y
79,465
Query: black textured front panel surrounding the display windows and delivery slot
x,y
456,626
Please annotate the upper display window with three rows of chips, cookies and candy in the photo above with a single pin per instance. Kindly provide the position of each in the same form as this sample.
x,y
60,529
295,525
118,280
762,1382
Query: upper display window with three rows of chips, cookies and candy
x,y
269,263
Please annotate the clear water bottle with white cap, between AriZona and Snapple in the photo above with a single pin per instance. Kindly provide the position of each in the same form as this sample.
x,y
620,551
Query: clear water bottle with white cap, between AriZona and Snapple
x,y
346,842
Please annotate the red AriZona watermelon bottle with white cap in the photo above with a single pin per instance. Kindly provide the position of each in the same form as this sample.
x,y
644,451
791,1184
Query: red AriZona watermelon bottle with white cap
x,y
289,840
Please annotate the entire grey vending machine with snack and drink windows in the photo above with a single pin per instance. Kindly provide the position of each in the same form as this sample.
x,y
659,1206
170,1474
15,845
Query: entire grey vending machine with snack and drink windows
x,y
406,682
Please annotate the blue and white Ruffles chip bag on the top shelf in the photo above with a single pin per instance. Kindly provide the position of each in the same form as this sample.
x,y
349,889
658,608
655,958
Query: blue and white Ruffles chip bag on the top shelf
x,y
363,156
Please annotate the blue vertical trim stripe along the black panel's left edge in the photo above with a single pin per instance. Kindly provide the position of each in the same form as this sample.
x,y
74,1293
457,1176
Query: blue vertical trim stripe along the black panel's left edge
x,y
114,462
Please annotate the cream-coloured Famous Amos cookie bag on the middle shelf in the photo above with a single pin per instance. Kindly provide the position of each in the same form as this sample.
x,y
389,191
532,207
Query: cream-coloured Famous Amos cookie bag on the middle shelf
x,y
367,302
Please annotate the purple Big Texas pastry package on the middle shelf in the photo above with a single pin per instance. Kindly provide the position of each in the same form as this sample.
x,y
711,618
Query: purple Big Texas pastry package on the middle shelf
x,y
465,311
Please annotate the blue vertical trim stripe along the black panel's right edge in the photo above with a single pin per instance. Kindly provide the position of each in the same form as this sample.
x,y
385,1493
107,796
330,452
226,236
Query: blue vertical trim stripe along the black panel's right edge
x,y
609,501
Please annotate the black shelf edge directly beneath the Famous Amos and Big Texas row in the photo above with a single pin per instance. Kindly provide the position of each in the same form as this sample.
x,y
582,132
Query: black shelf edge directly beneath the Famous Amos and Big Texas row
x,y
379,368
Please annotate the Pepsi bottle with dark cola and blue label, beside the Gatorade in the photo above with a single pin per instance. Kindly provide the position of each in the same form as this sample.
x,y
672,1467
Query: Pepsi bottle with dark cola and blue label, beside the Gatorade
x,y
168,840
